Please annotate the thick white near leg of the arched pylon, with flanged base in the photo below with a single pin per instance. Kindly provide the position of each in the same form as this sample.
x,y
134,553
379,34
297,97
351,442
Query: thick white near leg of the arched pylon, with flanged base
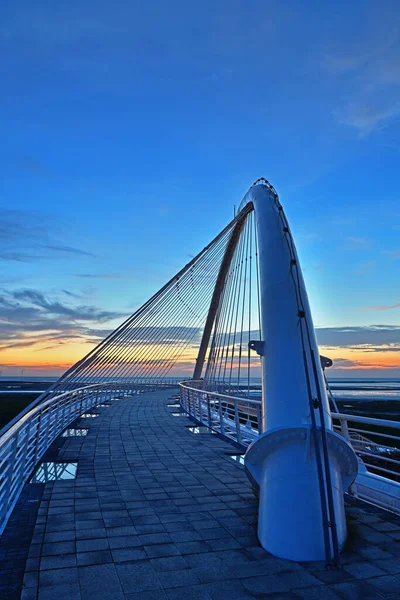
x,y
300,464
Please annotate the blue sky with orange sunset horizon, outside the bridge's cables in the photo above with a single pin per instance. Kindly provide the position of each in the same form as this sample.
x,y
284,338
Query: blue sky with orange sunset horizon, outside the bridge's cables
x,y
131,129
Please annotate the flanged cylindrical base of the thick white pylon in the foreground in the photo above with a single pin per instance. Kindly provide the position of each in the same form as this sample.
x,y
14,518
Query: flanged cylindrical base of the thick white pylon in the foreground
x,y
290,515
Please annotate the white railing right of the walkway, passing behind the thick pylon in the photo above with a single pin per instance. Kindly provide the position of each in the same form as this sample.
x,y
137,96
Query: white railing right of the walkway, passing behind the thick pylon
x,y
375,441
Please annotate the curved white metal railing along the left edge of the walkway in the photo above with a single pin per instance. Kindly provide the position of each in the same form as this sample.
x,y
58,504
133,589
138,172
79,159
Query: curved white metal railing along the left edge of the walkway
x,y
24,443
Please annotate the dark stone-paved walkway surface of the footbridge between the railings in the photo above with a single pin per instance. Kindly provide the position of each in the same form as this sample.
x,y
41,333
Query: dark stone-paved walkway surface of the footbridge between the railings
x,y
158,513
